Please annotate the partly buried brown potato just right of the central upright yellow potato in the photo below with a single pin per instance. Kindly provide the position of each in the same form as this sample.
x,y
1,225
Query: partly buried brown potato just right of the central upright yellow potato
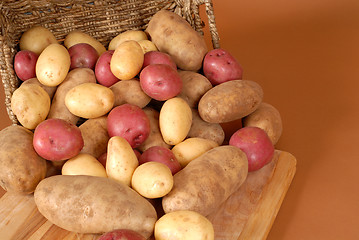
x,y
203,129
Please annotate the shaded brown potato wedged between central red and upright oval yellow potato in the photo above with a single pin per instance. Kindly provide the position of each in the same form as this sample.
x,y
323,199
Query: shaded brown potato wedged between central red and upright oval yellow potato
x,y
155,137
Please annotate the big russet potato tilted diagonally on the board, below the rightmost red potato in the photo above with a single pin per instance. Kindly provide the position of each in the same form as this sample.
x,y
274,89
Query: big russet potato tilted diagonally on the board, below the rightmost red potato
x,y
207,181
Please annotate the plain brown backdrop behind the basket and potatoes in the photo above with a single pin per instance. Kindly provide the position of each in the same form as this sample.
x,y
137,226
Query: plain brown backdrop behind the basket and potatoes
x,y
305,55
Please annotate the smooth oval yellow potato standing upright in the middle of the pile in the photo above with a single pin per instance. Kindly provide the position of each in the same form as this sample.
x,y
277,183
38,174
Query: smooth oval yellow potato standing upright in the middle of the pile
x,y
175,120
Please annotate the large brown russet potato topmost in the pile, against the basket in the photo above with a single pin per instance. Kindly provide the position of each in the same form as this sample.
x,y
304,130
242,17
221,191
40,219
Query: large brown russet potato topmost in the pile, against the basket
x,y
175,36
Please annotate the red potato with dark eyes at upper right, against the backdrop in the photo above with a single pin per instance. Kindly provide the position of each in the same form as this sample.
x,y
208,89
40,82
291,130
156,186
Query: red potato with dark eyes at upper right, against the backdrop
x,y
220,66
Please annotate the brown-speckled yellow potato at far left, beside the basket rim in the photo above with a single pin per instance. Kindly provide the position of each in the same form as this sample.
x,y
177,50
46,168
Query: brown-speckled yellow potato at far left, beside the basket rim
x,y
31,104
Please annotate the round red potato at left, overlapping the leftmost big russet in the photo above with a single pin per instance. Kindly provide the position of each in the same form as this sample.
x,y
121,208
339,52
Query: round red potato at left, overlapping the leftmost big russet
x,y
57,139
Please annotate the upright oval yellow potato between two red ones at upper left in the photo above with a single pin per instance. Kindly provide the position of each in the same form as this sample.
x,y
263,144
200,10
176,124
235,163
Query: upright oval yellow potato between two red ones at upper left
x,y
53,65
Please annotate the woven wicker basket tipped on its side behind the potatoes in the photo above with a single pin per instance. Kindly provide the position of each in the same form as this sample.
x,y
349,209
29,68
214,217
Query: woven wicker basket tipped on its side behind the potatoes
x,y
102,19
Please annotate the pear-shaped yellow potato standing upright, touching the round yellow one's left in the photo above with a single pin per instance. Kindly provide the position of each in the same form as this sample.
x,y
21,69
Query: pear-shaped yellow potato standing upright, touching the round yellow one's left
x,y
121,160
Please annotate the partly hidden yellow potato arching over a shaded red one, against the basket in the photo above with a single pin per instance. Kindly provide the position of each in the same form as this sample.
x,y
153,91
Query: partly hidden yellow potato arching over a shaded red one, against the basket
x,y
76,37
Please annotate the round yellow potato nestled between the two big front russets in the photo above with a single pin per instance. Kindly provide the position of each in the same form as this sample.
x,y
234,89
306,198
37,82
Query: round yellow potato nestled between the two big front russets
x,y
152,180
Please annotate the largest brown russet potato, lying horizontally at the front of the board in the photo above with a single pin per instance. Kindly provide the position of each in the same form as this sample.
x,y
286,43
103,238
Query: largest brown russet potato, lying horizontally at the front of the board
x,y
89,204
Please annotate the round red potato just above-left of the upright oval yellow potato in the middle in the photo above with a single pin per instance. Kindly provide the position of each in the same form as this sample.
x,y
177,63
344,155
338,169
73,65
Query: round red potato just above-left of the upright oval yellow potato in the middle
x,y
160,81
